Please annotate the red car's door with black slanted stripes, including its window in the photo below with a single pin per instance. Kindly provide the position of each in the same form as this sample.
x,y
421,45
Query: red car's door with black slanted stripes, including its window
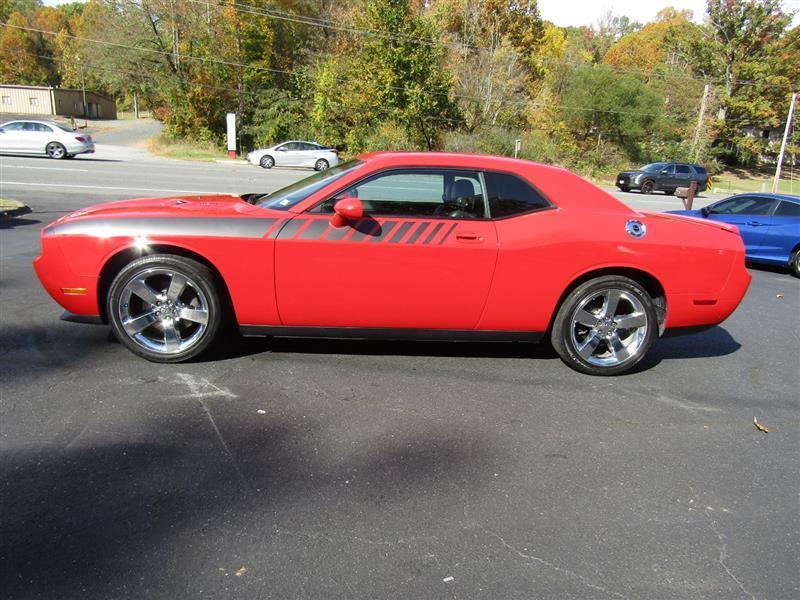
x,y
412,262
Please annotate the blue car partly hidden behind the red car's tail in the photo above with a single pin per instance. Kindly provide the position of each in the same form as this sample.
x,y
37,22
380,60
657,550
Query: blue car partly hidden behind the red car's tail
x,y
769,225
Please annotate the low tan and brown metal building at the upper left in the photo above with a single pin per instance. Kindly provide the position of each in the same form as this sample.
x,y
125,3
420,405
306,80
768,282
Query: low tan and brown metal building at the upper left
x,y
65,102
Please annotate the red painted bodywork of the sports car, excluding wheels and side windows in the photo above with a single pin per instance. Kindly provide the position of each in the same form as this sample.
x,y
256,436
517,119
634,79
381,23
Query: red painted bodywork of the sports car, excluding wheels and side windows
x,y
294,268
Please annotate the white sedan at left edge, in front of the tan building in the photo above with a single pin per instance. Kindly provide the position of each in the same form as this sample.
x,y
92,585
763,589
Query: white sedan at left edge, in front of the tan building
x,y
43,138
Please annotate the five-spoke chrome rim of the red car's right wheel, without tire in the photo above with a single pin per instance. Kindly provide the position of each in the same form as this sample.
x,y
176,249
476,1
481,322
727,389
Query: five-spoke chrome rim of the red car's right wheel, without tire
x,y
609,327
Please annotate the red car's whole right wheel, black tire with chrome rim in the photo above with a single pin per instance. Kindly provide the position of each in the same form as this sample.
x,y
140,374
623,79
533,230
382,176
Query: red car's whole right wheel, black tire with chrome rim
x,y
571,335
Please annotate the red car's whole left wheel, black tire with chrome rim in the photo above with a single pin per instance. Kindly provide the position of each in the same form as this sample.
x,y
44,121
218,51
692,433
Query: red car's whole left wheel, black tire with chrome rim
x,y
195,313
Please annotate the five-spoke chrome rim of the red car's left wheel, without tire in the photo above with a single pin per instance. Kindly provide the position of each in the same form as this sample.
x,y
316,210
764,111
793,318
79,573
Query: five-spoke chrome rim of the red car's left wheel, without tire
x,y
163,311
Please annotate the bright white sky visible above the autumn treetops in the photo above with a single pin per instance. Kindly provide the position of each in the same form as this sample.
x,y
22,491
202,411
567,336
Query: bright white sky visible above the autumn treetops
x,y
589,12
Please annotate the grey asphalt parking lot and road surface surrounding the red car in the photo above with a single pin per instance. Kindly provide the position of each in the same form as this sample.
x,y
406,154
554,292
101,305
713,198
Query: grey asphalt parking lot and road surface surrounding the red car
x,y
348,469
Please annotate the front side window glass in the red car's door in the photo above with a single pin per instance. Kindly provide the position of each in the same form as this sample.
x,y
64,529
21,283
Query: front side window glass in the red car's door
x,y
442,193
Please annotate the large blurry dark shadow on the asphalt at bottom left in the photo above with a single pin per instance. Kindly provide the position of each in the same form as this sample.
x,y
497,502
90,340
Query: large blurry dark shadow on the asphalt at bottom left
x,y
165,511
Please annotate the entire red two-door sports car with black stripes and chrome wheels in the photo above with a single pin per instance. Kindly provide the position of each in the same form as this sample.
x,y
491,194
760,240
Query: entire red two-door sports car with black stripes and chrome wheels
x,y
398,245
